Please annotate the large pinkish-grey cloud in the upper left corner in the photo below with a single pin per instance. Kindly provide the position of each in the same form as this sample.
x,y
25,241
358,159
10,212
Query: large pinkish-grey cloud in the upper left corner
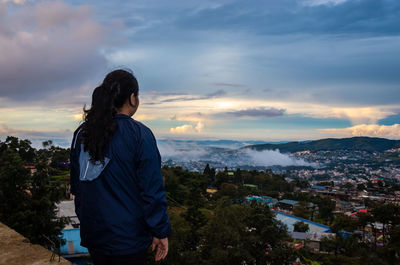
x,y
51,47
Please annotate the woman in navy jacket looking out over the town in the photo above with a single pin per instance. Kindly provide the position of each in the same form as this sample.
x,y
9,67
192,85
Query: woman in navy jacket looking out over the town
x,y
116,178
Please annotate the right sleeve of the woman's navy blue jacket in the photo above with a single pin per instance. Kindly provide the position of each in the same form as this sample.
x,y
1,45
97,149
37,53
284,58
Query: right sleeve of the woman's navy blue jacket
x,y
152,185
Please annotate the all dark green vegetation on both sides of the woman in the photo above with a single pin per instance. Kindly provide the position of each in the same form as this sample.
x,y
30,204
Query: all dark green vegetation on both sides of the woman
x,y
208,228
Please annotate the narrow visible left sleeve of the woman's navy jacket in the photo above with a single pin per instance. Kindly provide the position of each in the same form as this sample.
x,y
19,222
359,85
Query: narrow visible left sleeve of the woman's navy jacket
x,y
74,171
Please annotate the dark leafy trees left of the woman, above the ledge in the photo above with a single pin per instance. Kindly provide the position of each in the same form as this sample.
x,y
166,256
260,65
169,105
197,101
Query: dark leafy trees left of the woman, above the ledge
x,y
27,203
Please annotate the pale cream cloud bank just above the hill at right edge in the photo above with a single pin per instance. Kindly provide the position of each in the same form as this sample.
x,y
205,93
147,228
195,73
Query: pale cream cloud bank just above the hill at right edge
x,y
372,130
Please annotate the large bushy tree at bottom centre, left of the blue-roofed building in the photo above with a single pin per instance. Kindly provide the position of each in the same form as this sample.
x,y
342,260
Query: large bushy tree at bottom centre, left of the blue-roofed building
x,y
240,234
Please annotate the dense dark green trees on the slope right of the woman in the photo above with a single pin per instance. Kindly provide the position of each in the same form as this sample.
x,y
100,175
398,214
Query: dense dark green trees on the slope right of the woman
x,y
223,223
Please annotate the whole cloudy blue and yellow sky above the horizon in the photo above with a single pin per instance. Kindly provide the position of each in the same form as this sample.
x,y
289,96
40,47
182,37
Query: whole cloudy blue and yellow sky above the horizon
x,y
248,69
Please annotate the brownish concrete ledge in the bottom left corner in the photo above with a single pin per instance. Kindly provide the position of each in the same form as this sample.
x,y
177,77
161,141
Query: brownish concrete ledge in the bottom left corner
x,y
16,250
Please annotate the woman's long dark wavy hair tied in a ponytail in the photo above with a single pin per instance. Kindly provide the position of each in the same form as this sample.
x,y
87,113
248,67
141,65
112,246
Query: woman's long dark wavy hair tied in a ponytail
x,y
99,126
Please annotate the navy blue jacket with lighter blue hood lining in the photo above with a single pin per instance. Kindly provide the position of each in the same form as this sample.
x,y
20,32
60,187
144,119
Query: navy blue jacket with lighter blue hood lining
x,y
120,204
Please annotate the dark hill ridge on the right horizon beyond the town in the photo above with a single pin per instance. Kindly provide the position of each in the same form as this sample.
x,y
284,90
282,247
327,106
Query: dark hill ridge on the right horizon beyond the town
x,y
369,144
